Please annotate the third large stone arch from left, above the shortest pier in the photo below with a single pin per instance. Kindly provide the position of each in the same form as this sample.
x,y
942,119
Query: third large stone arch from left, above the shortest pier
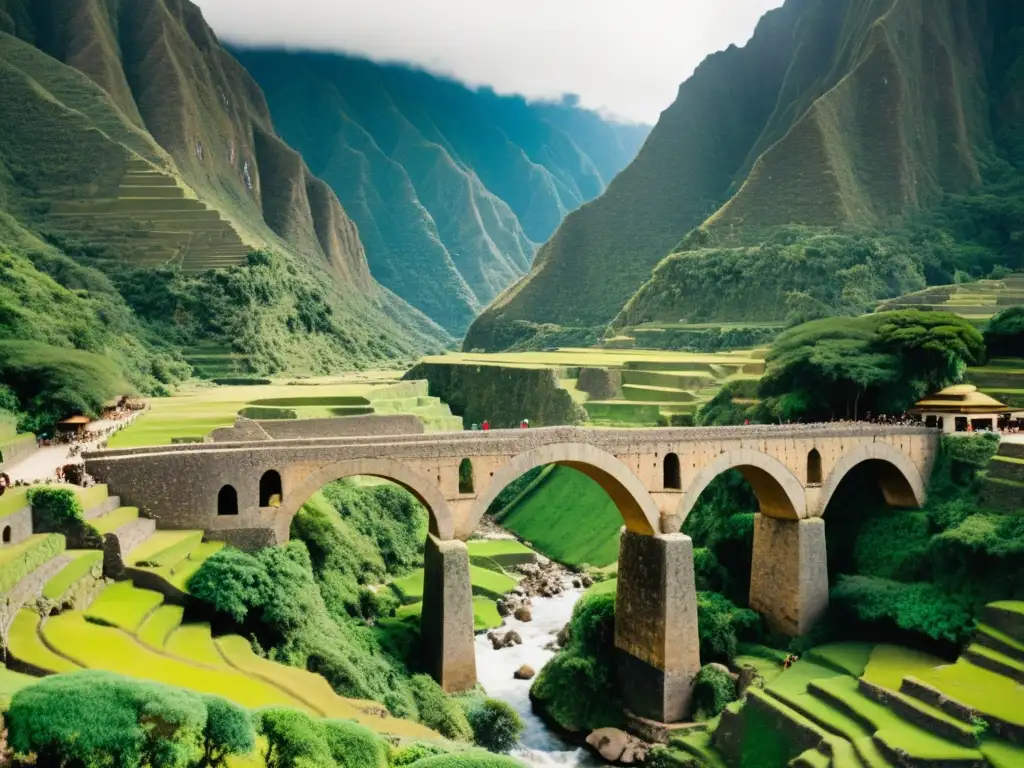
x,y
780,492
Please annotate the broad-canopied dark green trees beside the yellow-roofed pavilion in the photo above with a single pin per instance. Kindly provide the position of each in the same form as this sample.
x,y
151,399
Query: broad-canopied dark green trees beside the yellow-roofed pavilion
x,y
844,368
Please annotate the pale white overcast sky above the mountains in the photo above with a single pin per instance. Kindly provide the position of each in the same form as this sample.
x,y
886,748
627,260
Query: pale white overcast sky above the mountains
x,y
624,57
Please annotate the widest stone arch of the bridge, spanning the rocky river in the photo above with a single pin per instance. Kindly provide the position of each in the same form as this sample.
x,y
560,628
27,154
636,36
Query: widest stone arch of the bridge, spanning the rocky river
x,y
636,505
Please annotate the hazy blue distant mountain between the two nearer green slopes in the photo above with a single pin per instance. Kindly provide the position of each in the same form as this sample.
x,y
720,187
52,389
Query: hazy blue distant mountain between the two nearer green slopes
x,y
451,188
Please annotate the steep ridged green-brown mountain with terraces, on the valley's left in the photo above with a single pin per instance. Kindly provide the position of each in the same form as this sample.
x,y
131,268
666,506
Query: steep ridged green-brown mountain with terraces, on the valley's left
x,y
137,157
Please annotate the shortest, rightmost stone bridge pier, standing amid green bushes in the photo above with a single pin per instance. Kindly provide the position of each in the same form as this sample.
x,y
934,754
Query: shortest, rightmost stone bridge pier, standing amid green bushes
x,y
790,573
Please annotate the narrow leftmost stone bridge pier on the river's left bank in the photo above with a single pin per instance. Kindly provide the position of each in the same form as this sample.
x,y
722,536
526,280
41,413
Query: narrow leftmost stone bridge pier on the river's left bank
x,y
447,621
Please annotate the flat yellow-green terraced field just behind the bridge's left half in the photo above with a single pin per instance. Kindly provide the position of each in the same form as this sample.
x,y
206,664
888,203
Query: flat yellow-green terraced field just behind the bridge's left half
x,y
200,408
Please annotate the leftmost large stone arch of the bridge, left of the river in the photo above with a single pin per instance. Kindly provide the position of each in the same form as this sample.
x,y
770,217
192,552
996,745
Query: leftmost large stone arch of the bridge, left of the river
x,y
428,493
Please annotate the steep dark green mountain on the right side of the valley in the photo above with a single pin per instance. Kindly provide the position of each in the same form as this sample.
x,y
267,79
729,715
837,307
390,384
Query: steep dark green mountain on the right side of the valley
x,y
850,151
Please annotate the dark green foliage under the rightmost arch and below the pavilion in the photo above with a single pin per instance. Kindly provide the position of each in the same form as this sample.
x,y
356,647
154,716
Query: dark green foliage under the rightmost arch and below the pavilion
x,y
920,577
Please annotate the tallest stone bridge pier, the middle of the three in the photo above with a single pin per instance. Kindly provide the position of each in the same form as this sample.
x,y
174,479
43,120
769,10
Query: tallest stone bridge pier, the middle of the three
x,y
657,625
